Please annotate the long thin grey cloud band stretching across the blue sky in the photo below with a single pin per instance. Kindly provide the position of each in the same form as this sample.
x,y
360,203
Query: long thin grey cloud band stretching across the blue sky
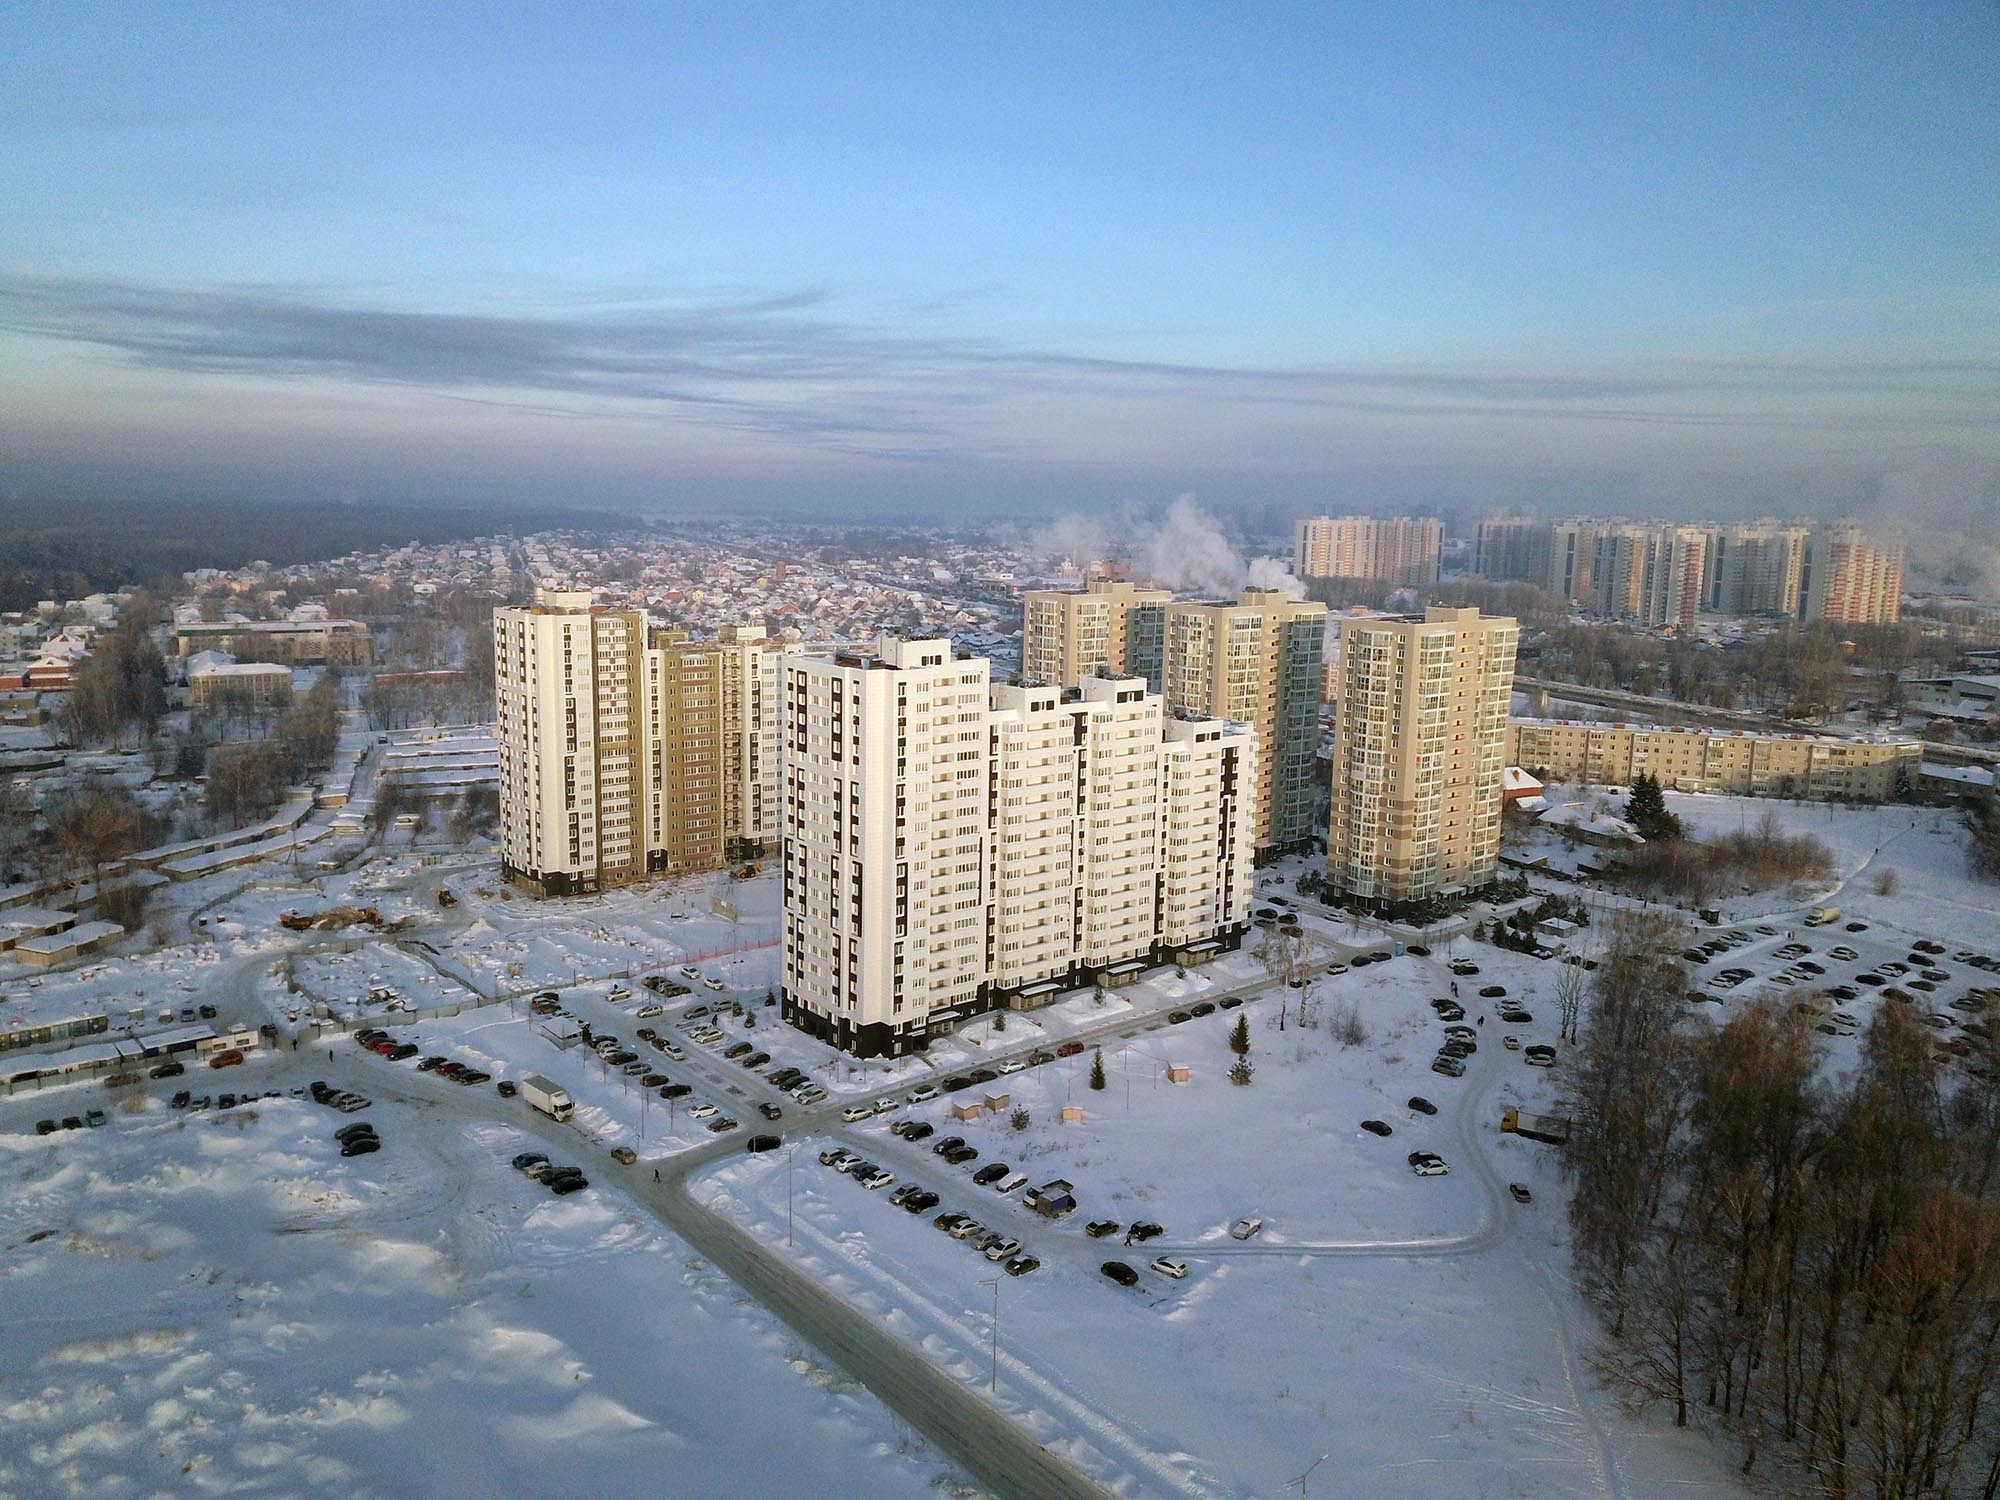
x,y
789,365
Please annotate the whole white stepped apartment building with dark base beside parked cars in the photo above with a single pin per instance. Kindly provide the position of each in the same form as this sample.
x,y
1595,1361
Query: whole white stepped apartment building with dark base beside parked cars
x,y
955,845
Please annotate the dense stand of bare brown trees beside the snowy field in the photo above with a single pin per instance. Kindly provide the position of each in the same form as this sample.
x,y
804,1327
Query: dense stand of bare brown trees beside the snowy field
x,y
1807,1255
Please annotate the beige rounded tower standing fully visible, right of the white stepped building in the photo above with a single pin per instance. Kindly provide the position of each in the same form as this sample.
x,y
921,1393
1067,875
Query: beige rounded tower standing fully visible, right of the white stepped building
x,y
1419,755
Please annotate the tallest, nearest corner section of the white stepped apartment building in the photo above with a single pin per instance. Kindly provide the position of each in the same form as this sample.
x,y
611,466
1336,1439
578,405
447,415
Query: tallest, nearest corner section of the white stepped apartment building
x,y
887,783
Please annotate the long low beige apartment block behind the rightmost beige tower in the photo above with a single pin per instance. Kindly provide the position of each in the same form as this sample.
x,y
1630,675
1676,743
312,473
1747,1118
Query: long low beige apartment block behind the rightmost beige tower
x,y
1715,761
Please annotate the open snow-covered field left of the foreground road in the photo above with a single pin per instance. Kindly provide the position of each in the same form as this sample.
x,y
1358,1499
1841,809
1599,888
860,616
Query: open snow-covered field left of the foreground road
x,y
221,1305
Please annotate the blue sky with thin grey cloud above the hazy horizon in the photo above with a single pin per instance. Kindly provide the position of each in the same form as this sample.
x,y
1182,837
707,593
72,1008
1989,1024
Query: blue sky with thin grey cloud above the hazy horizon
x,y
959,261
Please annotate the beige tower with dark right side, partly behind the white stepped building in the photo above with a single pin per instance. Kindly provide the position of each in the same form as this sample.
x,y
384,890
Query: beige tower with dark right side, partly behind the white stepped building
x,y
1257,661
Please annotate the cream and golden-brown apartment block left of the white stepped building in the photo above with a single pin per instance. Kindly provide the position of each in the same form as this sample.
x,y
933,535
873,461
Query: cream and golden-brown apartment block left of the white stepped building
x,y
617,751
